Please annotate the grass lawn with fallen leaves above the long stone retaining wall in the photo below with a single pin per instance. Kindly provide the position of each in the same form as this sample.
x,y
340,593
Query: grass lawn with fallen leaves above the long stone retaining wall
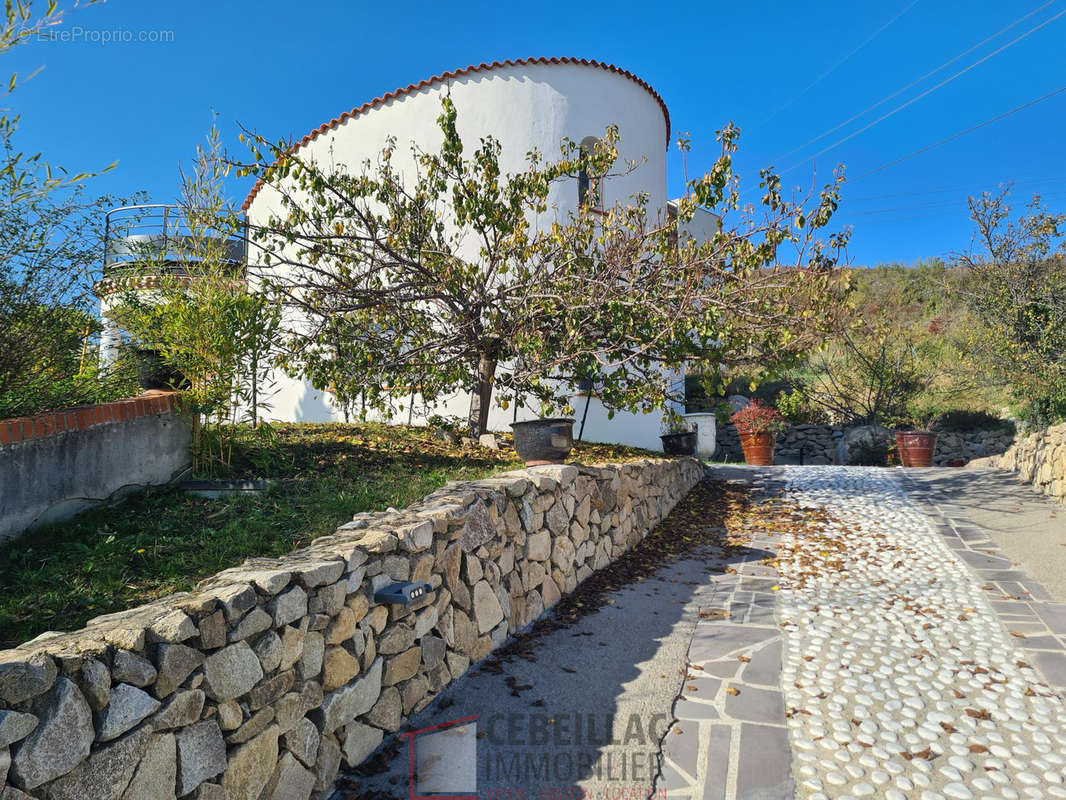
x,y
108,559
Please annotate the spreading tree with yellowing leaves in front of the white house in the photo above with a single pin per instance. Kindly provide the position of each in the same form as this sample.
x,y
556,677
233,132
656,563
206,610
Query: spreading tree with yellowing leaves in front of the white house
x,y
460,277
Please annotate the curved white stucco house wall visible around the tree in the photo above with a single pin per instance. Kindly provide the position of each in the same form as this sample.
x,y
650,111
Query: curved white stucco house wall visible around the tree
x,y
526,107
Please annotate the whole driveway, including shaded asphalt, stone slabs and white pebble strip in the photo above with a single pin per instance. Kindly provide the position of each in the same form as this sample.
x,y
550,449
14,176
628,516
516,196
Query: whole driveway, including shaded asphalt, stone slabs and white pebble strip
x,y
868,639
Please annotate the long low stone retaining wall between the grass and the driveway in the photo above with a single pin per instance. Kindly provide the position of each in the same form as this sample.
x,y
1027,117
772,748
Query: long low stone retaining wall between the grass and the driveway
x,y
269,678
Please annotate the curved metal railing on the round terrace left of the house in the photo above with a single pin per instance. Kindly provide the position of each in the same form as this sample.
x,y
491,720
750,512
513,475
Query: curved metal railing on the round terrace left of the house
x,y
160,236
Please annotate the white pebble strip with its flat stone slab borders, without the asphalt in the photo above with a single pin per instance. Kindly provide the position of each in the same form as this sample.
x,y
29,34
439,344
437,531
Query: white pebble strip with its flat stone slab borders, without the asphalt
x,y
894,653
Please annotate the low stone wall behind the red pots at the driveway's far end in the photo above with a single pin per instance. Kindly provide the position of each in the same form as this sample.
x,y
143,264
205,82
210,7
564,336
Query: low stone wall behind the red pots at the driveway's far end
x,y
818,444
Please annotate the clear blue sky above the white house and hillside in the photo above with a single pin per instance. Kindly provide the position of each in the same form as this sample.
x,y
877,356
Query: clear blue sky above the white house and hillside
x,y
784,72
